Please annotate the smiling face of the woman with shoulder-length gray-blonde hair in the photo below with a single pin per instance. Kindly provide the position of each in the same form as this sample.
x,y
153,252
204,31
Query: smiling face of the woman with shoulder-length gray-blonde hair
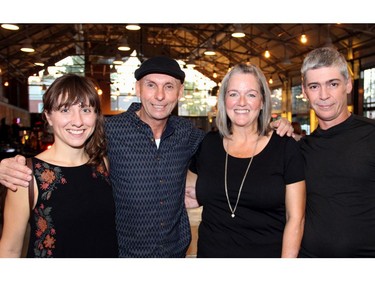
x,y
243,100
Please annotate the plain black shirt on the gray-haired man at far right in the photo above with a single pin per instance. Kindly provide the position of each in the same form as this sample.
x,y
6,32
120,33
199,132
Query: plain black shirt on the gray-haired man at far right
x,y
340,182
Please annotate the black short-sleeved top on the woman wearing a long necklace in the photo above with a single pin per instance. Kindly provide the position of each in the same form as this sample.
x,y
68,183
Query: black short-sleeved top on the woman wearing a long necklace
x,y
258,225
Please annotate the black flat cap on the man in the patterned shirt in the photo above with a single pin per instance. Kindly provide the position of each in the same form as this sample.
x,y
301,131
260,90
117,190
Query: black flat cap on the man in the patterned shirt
x,y
160,64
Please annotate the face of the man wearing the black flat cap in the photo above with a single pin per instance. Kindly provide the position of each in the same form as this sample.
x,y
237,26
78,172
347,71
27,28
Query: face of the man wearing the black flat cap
x,y
159,94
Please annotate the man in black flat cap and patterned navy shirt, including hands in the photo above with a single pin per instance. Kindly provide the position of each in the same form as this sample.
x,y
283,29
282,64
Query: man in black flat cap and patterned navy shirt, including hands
x,y
149,151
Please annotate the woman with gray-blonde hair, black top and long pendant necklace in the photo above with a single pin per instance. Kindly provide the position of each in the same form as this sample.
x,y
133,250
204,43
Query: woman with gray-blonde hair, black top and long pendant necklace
x,y
250,180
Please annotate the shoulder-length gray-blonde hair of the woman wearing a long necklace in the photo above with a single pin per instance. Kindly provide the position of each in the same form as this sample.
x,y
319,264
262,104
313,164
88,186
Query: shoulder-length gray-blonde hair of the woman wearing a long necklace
x,y
222,120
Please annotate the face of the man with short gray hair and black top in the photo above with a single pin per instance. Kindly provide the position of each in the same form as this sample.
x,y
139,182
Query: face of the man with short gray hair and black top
x,y
327,92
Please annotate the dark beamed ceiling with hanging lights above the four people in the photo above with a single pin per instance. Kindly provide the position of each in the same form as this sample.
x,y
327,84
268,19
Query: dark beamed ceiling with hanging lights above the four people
x,y
99,42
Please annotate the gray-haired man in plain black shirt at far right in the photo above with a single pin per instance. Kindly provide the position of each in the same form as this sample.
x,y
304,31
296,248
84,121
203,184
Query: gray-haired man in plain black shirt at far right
x,y
339,162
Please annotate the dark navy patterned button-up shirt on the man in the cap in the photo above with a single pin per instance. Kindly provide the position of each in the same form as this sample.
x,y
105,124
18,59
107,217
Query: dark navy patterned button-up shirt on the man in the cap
x,y
149,184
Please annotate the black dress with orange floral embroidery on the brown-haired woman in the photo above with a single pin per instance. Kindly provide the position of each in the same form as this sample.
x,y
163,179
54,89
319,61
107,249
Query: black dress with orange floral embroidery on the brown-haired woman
x,y
75,213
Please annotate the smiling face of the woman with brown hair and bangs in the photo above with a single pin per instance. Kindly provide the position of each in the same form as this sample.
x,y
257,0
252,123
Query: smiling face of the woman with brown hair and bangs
x,y
72,125
